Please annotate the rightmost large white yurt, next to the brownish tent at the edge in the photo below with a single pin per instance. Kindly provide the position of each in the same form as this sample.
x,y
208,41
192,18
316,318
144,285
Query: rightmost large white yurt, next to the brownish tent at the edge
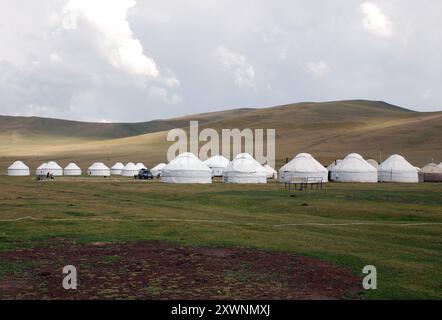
x,y
397,169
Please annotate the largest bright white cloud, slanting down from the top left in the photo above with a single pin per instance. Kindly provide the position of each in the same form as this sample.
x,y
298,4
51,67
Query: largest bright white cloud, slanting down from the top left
x,y
122,49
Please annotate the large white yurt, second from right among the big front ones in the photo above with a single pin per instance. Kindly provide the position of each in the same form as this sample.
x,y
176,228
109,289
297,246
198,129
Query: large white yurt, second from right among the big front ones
x,y
354,169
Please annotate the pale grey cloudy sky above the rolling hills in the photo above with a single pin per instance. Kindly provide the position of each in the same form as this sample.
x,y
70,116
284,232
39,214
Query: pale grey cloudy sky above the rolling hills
x,y
127,60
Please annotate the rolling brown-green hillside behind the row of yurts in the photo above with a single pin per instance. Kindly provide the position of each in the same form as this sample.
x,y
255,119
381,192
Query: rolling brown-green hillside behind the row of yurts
x,y
328,130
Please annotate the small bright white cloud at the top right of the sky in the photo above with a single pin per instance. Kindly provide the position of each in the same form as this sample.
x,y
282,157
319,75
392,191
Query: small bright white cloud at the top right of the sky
x,y
375,21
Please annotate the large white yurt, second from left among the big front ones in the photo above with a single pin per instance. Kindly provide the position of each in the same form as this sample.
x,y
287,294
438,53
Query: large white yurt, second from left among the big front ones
x,y
245,169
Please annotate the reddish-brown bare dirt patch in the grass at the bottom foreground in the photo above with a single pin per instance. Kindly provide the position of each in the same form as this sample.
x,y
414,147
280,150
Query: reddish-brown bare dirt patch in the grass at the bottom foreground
x,y
158,270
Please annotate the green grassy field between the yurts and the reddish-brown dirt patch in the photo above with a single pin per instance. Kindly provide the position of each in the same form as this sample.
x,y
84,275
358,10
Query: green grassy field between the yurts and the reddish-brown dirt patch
x,y
397,228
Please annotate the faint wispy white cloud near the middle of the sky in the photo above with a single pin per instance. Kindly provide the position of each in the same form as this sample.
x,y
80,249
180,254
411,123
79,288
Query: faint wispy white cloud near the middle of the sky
x,y
243,71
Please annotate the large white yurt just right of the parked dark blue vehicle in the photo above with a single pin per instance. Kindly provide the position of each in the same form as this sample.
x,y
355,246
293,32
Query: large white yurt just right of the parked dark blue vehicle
x,y
186,168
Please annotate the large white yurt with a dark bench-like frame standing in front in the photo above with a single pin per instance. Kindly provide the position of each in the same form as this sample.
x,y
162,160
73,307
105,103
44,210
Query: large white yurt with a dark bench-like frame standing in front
x,y
303,166
